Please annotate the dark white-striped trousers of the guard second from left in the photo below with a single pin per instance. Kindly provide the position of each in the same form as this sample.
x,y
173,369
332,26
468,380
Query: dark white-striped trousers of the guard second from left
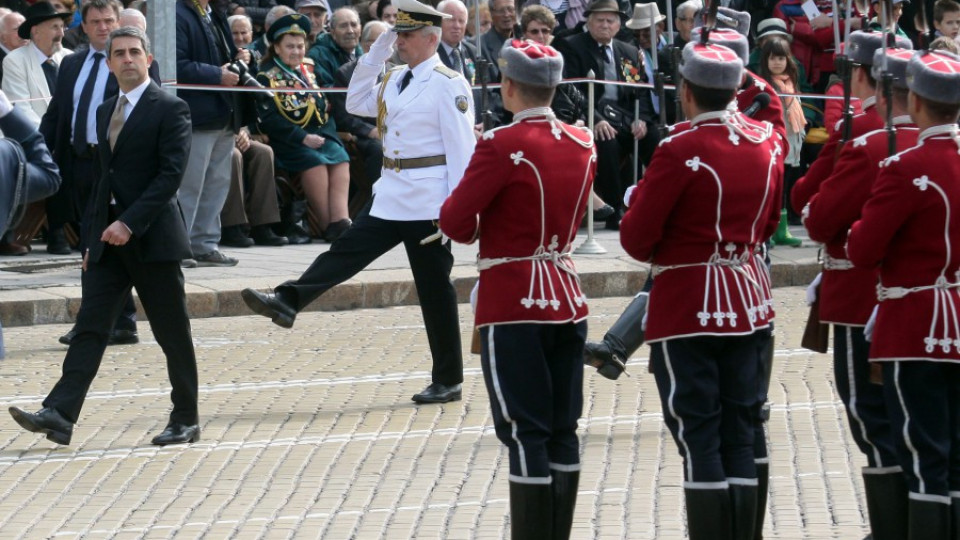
x,y
708,392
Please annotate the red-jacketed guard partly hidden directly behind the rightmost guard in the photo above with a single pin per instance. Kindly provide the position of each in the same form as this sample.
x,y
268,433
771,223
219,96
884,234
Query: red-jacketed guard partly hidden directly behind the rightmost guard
x,y
848,297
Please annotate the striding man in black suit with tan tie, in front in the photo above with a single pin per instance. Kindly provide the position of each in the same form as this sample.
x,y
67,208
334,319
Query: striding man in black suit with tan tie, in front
x,y
137,238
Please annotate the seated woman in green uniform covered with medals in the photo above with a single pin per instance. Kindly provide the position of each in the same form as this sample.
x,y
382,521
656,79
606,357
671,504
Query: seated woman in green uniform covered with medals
x,y
301,131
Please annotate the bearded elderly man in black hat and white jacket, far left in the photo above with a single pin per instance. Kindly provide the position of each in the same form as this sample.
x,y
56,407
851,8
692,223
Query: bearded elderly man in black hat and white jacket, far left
x,y
30,72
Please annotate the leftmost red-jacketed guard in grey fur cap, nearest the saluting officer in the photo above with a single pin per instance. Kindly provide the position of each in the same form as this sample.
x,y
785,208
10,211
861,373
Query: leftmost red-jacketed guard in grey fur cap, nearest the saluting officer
x,y
530,309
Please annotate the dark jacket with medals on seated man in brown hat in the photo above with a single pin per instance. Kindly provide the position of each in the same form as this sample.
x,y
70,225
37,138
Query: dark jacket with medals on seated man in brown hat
x,y
581,53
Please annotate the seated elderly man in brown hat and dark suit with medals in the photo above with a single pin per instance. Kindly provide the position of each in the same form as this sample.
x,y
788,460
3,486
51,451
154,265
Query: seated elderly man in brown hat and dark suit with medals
x,y
612,60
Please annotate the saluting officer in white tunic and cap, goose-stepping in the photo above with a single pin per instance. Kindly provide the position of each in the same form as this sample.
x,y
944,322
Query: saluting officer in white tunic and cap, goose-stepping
x,y
424,111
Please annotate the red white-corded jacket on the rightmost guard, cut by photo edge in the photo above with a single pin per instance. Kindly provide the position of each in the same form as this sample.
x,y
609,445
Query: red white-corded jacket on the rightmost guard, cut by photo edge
x,y
911,229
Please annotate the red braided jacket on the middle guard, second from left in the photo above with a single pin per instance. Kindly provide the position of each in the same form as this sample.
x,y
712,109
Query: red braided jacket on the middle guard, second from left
x,y
709,198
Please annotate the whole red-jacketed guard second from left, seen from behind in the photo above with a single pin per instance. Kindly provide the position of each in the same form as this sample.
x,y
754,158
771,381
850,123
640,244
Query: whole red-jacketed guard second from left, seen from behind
x,y
706,204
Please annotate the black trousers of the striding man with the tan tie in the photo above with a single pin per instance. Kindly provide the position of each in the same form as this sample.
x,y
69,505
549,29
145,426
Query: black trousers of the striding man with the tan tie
x,y
107,283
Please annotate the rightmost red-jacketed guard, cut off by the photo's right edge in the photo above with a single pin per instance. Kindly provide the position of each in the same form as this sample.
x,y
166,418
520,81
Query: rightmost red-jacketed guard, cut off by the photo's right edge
x,y
909,231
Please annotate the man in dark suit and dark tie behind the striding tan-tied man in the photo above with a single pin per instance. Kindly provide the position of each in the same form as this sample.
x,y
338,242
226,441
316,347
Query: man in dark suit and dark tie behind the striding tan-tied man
x,y
69,127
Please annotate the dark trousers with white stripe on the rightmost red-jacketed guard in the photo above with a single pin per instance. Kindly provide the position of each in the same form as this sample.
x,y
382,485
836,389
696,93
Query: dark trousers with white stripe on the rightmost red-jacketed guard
x,y
923,400
